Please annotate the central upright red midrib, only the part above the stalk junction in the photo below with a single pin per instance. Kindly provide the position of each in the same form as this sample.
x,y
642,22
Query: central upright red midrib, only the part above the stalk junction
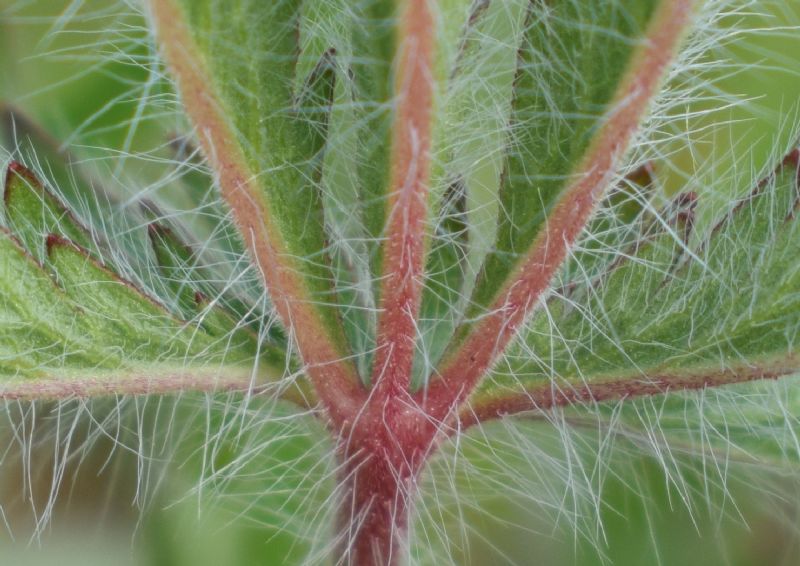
x,y
404,247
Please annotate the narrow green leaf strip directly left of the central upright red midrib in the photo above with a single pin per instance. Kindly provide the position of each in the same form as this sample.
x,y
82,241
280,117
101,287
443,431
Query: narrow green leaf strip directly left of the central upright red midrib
x,y
336,25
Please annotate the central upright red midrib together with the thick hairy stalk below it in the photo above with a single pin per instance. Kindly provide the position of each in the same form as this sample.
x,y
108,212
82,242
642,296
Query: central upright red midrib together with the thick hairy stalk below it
x,y
384,448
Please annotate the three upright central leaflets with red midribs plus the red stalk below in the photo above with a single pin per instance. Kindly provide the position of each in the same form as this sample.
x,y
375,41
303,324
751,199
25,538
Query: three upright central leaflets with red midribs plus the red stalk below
x,y
264,119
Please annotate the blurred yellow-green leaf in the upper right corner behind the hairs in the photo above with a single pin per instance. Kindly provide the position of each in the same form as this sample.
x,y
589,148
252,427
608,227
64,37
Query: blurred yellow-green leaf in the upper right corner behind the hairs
x,y
738,108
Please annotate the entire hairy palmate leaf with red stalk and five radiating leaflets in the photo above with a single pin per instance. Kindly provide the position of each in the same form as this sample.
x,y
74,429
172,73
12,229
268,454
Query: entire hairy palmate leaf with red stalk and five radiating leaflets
x,y
459,211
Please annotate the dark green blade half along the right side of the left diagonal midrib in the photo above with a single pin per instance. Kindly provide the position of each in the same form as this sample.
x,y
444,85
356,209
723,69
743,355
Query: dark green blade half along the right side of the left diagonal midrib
x,y
282,129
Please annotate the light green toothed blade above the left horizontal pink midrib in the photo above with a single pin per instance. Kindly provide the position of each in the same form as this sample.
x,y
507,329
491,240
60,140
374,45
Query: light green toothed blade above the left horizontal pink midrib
x,y
89,324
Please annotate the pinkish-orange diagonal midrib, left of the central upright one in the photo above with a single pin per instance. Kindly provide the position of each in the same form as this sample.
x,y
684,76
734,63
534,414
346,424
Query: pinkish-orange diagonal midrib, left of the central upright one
x,y
333,376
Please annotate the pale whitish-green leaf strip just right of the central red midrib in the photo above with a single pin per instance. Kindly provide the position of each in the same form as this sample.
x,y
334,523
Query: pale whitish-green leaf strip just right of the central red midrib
x,y
468,148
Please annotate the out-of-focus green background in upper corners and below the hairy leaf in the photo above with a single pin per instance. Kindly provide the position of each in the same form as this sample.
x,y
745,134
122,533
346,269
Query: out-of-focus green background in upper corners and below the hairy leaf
x,y
203,480
